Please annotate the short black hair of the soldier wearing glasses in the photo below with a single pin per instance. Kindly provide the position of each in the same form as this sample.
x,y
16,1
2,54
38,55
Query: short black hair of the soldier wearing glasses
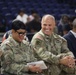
x,y
16,25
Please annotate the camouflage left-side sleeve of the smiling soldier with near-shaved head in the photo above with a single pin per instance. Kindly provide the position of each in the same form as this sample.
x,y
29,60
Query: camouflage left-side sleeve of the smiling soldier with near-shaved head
x,y
43,53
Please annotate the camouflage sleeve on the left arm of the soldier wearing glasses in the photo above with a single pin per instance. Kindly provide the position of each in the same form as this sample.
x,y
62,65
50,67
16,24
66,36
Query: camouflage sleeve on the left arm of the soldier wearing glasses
x,y
9,64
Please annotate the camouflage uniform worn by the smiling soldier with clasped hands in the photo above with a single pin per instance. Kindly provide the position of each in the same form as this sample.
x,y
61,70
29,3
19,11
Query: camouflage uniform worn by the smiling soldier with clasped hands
x,y
51,49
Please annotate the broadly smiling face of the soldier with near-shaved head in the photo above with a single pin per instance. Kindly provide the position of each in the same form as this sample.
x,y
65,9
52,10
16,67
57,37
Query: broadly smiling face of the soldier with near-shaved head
x,y
48,24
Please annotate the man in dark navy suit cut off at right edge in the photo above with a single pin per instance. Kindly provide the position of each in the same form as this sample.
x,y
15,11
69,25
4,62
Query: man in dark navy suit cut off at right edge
x,y
71,38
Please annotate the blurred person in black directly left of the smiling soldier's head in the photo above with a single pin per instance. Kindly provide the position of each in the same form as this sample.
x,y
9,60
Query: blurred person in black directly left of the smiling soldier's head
x,y
34,25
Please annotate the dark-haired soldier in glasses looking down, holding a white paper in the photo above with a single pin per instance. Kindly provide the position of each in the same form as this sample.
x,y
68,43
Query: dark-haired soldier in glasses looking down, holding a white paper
x,y
17,53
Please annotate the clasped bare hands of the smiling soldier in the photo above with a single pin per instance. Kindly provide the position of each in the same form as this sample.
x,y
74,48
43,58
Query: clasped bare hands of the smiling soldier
x,y
68,61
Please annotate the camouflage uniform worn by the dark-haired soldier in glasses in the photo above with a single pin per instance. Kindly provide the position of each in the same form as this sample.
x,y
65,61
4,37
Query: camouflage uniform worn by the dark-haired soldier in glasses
x,y
16,56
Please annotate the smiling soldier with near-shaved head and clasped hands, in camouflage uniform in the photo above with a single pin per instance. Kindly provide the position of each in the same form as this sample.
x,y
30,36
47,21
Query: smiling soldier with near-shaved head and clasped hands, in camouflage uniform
x,y
52,48
